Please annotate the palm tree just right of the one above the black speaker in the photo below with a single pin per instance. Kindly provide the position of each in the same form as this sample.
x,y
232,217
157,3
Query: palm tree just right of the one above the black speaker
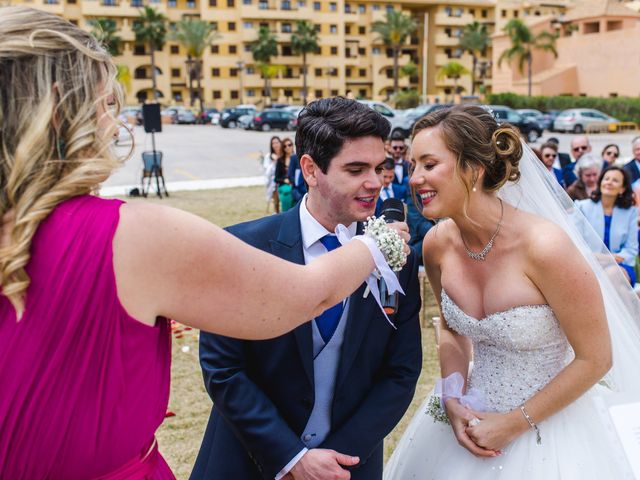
x,y
195,36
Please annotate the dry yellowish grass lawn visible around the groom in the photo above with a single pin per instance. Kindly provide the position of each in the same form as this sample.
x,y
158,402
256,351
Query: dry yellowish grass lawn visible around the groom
x,y
179,437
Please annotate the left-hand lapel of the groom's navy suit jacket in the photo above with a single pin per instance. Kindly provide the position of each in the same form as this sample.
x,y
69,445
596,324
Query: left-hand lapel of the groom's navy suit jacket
x,y
288,246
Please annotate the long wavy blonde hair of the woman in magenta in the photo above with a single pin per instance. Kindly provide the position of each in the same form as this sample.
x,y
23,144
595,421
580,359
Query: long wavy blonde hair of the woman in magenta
x,y
53,78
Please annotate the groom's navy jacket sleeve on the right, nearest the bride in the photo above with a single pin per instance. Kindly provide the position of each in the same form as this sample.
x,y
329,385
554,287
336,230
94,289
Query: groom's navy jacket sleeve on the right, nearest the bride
x,y
392,392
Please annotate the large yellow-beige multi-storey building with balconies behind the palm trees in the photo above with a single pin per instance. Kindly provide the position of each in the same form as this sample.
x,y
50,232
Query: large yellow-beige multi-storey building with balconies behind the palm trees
x,y
352,61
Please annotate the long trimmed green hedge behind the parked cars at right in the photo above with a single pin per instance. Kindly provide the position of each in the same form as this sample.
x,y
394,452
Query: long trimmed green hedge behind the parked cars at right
x,y
625,109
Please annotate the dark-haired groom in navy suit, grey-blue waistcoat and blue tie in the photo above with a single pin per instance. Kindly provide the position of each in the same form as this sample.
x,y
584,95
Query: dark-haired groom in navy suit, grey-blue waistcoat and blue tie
x,y
304,405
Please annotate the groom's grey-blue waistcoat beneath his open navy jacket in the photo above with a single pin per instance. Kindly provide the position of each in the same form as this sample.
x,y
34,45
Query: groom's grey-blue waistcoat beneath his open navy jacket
x,y
325,368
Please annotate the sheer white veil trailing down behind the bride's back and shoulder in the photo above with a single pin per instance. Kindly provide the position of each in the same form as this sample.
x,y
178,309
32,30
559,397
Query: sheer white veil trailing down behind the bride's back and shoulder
x,y
538,192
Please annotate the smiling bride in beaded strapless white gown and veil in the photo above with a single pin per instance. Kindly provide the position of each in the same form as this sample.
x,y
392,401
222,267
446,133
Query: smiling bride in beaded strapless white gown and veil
x,y
520,288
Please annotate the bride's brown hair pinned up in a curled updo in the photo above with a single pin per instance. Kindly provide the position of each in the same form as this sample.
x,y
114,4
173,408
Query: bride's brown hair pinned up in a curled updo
x,y
473,135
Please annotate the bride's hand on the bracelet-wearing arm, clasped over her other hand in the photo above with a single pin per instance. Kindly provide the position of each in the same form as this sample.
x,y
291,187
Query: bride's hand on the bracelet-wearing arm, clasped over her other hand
x,y
495,431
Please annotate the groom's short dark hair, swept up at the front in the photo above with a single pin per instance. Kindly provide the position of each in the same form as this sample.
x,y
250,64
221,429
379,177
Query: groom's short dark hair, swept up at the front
x,y
324,126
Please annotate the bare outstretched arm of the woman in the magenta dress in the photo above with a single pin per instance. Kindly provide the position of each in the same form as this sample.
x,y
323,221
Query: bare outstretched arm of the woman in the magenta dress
x,y
173,264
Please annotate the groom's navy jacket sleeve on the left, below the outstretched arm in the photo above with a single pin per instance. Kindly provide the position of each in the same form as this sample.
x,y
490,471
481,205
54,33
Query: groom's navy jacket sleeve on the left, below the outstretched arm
x,y
252,416
